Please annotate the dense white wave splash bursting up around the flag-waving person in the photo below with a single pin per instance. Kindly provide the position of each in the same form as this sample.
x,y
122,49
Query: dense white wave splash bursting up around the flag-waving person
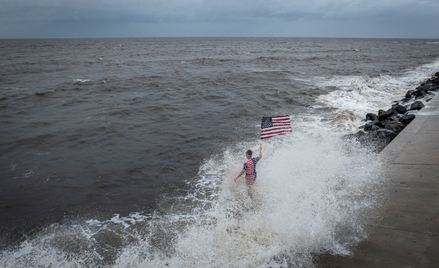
x,y
312,196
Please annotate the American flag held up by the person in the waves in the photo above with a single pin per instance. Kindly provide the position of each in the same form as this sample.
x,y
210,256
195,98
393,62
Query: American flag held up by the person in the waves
x,y
274,126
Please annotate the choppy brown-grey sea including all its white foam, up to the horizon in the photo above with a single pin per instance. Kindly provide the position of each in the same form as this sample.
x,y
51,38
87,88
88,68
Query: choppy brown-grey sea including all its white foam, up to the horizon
x,y
122,152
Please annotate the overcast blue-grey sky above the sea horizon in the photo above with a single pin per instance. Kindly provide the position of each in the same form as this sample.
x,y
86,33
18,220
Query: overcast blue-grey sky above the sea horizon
x,y
234,18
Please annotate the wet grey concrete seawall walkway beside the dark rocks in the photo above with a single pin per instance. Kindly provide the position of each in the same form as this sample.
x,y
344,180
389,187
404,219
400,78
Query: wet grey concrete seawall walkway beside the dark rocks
x,y
408,234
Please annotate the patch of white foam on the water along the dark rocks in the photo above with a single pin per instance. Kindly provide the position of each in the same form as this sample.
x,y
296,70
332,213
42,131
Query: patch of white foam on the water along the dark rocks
x,y
358,95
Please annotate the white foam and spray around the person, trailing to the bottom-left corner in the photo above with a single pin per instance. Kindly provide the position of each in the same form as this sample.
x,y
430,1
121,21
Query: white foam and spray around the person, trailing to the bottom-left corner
x,y
314,194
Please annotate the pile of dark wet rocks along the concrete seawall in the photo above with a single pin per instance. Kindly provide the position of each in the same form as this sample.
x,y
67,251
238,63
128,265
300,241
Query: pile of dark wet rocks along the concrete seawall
x,y
381,128
